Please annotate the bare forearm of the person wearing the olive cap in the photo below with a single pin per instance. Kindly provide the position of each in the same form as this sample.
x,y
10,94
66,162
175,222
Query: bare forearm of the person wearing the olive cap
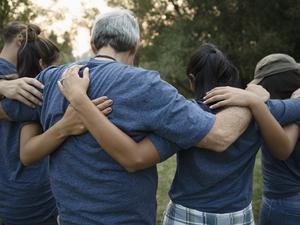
x,y
272,133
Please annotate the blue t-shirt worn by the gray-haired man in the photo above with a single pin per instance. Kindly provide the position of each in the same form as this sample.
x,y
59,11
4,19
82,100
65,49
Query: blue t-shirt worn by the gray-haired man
x,y
91,187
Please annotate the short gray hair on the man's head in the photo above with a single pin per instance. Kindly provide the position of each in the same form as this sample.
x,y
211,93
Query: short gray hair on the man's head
x,y
118,28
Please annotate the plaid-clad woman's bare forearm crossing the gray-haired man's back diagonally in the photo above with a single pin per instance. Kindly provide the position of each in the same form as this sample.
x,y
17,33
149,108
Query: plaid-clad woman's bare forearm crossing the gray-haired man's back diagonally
x,y
116,143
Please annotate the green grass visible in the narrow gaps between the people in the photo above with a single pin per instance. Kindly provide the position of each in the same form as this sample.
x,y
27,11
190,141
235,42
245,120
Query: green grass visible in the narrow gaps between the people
x,y
166,172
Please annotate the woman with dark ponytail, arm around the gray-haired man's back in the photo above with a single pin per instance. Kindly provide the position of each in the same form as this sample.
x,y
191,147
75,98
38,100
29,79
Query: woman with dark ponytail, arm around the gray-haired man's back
x,y
33,202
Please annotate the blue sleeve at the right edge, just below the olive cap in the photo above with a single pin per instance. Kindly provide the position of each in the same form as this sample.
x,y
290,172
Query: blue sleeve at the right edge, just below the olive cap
x,y
285,111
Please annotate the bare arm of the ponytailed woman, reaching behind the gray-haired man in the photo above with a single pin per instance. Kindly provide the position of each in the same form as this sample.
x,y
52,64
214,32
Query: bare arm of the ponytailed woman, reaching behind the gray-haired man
x,y
35,145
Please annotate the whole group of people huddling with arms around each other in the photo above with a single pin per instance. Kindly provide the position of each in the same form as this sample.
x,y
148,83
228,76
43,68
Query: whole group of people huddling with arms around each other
x,y
79,143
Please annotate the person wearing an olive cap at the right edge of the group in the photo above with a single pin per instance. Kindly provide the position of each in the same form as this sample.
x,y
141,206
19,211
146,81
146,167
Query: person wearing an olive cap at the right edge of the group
x,y
280,75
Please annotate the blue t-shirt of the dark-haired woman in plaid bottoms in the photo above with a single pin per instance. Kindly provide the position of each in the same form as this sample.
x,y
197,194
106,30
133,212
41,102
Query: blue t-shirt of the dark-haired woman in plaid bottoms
x,y
222,182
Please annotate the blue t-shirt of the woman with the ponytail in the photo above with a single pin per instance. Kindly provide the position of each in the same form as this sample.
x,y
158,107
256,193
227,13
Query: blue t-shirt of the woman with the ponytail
x,y
25,194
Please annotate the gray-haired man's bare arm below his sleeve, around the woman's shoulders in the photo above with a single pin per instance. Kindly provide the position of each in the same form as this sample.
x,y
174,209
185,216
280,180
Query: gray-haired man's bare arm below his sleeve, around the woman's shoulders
x,y
230,124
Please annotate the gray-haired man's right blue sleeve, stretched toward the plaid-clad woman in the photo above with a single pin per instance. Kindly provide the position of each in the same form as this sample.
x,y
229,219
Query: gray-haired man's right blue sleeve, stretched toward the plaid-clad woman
x,y
173,117
